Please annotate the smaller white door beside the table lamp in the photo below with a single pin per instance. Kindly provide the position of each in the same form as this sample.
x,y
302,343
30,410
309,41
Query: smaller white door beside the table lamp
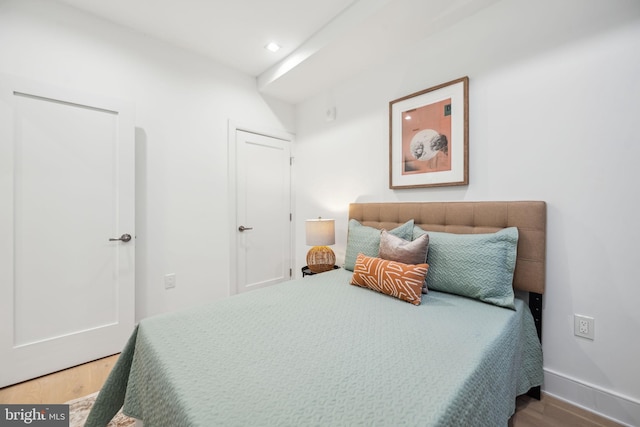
x,y
263,211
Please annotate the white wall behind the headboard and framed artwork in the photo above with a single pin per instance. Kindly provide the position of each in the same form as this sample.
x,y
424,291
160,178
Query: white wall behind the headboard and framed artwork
x,y
554,115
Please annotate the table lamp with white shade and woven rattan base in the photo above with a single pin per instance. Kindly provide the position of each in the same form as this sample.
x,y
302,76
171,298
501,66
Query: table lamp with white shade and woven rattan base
x,y
320,233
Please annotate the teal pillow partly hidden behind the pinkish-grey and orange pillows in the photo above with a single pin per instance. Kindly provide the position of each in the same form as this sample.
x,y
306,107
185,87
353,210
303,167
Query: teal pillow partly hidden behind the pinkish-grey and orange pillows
x,y
366,240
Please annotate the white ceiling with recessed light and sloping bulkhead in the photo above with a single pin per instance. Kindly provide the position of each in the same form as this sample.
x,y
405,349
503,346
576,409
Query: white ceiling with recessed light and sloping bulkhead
x,y
323,41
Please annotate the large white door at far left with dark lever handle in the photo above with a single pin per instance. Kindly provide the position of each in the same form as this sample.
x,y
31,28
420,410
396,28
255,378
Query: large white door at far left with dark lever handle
x,y
66,188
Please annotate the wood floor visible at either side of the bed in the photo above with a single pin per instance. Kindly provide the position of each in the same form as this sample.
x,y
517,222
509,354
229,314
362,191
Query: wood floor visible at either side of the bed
x,y
85,379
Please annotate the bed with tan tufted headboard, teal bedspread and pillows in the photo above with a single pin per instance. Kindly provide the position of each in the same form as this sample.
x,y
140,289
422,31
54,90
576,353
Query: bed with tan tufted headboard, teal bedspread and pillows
x,y
320,351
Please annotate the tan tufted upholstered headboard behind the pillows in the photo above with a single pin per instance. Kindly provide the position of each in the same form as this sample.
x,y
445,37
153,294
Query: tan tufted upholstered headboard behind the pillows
x,y
473,217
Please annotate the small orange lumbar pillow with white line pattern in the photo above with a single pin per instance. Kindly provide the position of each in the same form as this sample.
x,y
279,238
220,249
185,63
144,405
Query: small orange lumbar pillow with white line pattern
x,y
403,281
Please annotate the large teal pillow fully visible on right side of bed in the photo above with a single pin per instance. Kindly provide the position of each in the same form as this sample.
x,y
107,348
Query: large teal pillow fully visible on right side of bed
x,y
478,266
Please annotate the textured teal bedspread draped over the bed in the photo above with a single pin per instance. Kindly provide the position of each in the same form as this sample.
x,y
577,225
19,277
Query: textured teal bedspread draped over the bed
x,y
318,351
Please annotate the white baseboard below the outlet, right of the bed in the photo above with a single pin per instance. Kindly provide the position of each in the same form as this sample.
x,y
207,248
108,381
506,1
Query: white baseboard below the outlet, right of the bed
x,y
606,403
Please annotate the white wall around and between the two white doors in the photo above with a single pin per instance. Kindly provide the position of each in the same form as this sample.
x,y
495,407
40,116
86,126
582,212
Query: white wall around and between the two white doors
x,y
182,105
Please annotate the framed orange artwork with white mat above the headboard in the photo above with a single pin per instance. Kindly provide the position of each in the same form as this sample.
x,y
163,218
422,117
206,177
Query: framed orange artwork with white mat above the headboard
x,y
429,137
